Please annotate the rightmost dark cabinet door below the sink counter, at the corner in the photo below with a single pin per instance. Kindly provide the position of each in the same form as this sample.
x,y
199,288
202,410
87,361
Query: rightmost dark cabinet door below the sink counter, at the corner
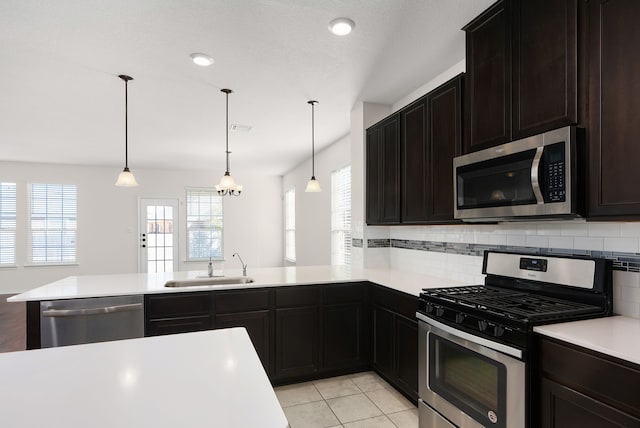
x,y
343,336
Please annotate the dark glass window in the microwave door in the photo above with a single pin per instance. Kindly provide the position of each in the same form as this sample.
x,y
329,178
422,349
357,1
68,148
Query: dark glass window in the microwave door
x,y
504,181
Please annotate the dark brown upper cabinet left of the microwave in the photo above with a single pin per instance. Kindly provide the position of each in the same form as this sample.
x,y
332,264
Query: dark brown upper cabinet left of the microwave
x,y
425,136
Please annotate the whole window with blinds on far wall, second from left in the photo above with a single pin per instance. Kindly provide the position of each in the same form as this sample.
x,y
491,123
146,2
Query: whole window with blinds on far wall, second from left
x,y
53,223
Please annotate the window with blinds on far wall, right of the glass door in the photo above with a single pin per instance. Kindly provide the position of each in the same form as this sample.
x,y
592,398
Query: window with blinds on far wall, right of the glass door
x,y
204,224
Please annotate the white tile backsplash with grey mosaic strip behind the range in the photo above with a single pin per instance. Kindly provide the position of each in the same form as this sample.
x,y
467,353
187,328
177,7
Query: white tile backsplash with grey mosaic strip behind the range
x,y
456,251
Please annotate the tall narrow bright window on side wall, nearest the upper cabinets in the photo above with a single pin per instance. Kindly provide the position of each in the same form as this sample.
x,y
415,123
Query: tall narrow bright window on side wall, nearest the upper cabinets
x,y
341,216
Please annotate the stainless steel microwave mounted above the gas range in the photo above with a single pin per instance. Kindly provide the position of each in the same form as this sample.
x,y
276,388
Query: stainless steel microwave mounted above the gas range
x,y
532,178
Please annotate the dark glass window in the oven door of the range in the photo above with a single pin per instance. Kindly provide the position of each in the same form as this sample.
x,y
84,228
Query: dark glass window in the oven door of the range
x,y
470,381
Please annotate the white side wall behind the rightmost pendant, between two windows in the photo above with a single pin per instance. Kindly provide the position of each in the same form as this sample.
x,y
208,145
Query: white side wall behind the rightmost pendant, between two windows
x,y
313,210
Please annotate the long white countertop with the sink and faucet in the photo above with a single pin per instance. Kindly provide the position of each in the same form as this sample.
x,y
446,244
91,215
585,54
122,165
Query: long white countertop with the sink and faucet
x,y
136,283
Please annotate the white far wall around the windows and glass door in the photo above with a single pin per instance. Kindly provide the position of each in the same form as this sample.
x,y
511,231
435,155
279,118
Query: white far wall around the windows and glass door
x,y
108,219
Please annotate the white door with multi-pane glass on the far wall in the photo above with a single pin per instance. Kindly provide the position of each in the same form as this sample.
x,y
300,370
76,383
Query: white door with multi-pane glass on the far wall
x,y
158,235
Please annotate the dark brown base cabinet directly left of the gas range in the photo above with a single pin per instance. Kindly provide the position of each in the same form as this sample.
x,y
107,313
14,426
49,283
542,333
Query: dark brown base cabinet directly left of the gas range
x,y
395,339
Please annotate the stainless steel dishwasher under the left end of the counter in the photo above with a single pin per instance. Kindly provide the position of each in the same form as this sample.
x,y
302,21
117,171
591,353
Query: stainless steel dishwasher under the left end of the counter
x,y
99,319
